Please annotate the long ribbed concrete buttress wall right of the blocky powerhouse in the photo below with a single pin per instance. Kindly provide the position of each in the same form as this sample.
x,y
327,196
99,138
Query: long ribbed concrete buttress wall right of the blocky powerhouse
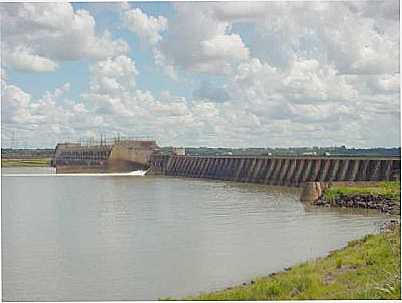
x,y
276,170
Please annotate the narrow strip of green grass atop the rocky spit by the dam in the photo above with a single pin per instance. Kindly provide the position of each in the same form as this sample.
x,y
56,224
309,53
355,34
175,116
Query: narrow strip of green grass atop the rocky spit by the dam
x,y
389,189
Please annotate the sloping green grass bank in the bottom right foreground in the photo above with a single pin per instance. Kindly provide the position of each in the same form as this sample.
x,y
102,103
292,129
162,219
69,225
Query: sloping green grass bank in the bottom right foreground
x,y
366,269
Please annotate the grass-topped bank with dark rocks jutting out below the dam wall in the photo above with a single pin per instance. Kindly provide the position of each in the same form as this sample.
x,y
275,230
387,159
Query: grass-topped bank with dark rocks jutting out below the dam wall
x,y
383,196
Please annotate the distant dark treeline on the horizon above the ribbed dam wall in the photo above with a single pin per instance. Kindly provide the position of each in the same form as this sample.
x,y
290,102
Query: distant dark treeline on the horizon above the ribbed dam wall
x,y
291,151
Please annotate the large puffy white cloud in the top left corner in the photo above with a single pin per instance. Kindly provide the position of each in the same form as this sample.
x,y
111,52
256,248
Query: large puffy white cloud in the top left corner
x,y
40,35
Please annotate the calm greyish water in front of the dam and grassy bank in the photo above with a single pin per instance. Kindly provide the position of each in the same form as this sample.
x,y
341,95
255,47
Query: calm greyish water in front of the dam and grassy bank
x,y
125,237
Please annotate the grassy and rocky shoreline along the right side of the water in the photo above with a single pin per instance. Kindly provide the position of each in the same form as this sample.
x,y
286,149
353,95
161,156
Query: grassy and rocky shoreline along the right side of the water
x,y
368,268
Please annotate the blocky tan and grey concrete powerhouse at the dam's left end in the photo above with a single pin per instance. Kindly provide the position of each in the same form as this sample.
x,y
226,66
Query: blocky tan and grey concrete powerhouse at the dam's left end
x,y
121,156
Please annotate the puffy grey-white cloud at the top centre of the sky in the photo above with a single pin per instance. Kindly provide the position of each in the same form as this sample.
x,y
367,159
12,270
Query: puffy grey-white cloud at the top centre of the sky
x,y
198,42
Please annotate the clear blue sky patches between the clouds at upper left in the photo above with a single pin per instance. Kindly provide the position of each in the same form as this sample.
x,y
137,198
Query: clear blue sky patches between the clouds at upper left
x,y
76,72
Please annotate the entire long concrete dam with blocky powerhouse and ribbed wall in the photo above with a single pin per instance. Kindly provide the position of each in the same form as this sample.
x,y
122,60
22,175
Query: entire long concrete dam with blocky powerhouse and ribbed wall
x,y
314,172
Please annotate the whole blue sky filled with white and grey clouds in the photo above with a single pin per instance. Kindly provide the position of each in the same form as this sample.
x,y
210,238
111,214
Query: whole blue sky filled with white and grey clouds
x,y
202,74
